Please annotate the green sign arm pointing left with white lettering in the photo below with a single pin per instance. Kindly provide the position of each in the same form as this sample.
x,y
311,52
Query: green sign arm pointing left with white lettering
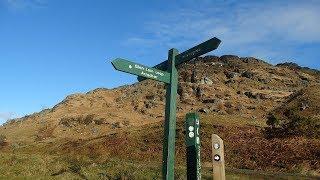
x,y
140,70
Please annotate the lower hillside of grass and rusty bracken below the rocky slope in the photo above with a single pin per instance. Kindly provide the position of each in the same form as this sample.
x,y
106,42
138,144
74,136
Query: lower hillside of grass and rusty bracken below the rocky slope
x,y
136,152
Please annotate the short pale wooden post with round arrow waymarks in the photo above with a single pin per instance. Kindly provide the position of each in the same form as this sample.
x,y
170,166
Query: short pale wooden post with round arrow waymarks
x,y
218,158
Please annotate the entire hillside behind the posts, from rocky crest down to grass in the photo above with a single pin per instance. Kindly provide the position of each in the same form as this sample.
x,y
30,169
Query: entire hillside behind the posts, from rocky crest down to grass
x,y
267,115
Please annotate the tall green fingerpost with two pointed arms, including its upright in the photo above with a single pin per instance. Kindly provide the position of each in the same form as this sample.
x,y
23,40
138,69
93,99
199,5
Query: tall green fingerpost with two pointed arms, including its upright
x,y
167,72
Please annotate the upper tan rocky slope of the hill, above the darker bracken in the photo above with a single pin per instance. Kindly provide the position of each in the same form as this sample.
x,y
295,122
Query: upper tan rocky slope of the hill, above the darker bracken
x,y
226,85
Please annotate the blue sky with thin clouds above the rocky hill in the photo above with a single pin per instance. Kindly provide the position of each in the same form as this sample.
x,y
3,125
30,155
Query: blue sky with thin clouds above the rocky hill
x,y
52,48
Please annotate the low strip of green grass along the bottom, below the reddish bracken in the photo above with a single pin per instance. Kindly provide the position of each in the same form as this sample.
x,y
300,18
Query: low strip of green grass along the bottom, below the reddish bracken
x,y
36,166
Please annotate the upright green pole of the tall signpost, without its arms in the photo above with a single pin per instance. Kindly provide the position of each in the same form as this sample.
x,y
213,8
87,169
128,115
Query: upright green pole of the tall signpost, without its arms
x,y
170,119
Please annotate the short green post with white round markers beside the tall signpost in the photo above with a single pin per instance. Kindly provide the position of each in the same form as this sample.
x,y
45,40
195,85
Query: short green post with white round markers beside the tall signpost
x,y
192,126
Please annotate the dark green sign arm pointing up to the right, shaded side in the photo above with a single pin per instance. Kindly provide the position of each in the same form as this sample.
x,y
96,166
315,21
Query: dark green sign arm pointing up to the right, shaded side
x,y
189,54
